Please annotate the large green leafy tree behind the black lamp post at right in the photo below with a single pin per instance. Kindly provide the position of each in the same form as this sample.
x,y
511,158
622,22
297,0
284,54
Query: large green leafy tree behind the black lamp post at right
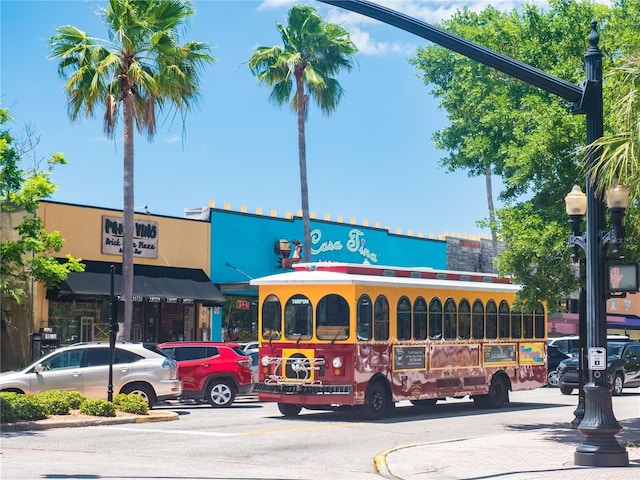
x,y
523,134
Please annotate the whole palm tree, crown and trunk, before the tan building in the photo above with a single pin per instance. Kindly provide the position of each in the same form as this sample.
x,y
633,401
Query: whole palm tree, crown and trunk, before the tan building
x,y
142,67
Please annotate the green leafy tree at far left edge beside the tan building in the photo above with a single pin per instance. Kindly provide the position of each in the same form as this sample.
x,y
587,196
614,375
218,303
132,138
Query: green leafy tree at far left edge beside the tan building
x,y
27,250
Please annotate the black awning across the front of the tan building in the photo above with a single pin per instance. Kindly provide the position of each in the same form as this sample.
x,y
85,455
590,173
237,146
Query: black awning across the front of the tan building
x,y
149,283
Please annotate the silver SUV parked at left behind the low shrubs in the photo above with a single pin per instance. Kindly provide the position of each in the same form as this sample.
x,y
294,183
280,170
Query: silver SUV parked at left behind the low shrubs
x,y
138,368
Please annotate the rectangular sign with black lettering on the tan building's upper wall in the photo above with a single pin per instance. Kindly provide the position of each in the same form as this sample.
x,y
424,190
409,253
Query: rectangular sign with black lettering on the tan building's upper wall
x,y
145,237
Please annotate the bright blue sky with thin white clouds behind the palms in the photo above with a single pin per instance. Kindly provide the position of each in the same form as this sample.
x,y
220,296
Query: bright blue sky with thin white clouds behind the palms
x,y
372,160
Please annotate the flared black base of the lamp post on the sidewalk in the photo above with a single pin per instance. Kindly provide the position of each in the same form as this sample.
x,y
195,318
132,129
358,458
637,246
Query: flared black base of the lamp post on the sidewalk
x,y
600,447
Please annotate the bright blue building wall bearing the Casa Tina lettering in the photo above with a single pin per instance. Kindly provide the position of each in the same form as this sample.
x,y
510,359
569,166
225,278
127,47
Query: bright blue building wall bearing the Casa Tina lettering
x,y
242,245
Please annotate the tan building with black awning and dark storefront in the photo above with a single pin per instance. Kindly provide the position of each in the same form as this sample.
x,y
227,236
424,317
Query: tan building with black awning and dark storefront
x,y
172,288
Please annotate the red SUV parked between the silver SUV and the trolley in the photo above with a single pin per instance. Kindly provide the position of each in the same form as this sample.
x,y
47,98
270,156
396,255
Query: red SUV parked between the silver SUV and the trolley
x,y
214,372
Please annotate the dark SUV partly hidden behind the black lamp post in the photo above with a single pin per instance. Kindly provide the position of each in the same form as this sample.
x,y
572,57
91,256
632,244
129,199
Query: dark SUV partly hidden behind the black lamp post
x,y
623,368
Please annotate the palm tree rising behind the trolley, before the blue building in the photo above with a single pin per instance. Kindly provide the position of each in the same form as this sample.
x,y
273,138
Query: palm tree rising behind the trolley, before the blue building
x,y
313,52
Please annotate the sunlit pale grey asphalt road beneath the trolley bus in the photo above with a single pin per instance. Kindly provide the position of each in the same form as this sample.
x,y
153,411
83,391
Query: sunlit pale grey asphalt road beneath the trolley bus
x,y
251,440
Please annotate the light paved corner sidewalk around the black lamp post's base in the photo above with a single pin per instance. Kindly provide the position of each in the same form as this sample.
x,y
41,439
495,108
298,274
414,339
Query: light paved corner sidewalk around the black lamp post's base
x,y
540,454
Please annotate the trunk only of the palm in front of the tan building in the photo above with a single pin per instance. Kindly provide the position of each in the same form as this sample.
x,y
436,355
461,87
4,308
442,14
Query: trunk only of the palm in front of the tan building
x,y
128,221
